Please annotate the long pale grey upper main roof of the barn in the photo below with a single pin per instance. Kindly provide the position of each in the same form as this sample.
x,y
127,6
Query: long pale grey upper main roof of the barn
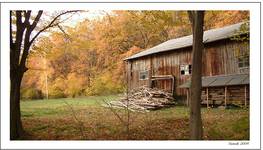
x,y
186,41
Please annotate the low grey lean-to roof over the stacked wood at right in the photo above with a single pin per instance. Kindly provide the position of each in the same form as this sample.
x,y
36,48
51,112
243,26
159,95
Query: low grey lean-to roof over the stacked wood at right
x,y
221,80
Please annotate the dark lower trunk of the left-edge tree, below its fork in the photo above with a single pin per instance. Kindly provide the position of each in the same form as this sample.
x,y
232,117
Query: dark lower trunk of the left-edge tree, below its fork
x,y
16,128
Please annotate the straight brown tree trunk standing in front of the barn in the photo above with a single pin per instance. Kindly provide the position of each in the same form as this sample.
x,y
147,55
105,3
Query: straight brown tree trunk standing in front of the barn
x,y
197,19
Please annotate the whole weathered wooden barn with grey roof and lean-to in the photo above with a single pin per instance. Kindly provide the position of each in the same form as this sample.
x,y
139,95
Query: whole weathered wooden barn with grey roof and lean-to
x,y
168,66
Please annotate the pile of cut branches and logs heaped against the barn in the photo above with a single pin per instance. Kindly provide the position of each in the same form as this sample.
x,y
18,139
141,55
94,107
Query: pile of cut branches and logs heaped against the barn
x,y
144,99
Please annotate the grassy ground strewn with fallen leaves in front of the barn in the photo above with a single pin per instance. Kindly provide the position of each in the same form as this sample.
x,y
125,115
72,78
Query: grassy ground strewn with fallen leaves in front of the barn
x,y
86,119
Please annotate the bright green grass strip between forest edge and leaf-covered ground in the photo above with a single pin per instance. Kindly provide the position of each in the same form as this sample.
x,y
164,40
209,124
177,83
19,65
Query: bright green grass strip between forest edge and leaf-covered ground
x,y
51,107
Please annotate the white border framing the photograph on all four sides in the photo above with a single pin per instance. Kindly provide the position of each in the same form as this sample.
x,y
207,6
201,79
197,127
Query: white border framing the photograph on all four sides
x,y
255,93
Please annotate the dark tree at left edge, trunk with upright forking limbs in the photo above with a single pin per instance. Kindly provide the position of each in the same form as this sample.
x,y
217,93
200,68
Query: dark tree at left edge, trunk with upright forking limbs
x,y
19,48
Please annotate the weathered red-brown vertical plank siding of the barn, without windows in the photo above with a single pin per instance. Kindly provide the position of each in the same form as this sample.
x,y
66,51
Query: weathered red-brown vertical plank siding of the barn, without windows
x,y
218,58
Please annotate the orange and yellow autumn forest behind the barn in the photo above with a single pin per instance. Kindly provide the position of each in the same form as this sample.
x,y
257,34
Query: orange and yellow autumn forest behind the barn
x,y
87,59
